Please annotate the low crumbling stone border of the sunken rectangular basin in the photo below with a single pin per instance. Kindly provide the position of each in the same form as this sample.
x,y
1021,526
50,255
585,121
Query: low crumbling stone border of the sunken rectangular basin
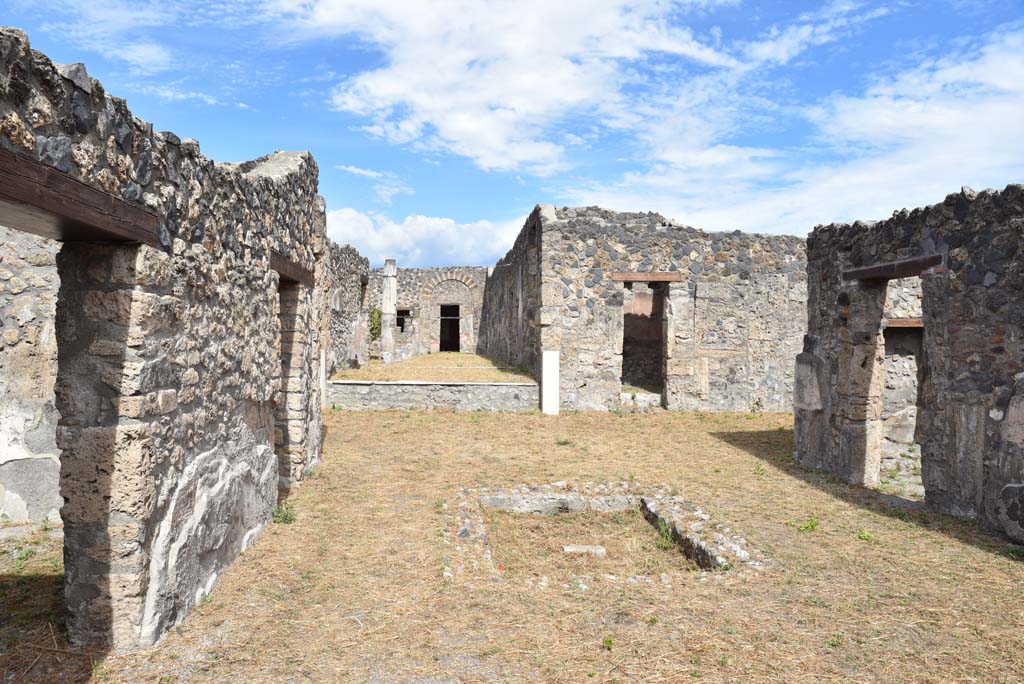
x,y
710,545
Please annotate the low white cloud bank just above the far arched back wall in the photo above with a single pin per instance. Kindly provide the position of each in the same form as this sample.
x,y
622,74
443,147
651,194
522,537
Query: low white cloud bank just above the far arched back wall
x,y
422,241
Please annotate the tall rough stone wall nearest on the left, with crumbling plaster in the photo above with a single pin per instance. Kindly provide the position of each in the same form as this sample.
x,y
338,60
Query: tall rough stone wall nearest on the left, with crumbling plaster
x,y
173,361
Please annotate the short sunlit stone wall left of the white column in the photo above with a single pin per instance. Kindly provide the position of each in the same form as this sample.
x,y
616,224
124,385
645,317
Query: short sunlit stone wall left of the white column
x,y
350,314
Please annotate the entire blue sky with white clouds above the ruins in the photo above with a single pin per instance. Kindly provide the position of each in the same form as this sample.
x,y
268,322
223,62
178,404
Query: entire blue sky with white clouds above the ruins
x,y
439,125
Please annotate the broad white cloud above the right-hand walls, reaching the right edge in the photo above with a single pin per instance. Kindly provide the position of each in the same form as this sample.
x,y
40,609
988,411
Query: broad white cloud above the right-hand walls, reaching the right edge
x,y
908,141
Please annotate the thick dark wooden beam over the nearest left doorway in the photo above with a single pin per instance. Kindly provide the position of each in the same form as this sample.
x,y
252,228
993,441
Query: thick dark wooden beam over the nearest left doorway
x,y
38,199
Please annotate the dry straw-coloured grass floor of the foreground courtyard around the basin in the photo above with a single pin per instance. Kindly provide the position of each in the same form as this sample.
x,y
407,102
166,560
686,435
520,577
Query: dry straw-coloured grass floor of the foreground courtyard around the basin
x,y
354,590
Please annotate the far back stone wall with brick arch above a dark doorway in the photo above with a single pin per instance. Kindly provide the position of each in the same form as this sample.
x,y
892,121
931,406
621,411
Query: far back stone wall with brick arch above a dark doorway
x,y
422,291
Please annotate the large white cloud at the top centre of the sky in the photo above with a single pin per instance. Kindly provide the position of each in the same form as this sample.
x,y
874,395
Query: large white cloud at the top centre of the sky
x,y
492,80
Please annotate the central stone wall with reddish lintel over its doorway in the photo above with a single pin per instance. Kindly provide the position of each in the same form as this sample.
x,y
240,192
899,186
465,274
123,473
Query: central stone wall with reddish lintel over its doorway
x,y
732,324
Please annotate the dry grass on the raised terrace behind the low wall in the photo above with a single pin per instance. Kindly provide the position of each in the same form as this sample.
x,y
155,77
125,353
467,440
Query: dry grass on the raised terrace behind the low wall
x,y
442,367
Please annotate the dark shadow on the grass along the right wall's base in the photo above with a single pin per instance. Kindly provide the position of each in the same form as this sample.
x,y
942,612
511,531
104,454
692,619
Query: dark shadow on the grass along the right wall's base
x,y
776,448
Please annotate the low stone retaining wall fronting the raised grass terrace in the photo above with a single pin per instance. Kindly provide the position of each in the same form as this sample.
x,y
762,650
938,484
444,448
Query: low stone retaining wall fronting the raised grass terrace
x,y
368,396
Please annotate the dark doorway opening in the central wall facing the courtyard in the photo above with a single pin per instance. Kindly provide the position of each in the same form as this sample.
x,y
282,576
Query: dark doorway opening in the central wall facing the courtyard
x,y
644,337
